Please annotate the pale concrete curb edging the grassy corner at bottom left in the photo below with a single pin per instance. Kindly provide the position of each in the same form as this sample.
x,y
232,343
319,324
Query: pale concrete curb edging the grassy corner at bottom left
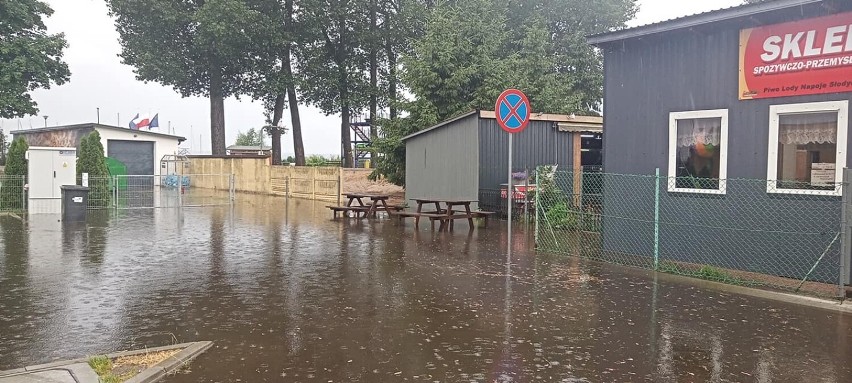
x,y
149,375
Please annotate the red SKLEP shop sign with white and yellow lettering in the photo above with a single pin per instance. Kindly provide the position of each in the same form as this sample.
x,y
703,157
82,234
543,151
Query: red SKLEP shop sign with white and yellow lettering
x,y
811,56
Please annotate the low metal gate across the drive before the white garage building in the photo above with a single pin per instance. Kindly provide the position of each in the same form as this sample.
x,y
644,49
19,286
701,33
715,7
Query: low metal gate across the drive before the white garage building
x,y
163,191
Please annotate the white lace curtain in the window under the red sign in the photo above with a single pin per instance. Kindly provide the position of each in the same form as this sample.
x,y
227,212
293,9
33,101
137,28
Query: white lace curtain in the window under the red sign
x,y
801,129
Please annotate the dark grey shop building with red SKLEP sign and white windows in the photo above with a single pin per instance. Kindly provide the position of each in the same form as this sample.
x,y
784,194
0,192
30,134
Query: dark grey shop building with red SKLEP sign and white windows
x,y
746,106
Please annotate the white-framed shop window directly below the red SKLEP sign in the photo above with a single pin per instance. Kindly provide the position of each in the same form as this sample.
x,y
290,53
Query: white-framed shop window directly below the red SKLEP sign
x,y
807,147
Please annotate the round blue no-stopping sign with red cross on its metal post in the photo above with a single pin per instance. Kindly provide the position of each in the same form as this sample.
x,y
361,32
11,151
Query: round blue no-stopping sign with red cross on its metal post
x,y
513,115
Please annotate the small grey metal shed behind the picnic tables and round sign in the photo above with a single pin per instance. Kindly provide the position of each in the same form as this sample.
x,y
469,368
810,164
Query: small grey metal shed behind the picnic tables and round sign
x,y
467,157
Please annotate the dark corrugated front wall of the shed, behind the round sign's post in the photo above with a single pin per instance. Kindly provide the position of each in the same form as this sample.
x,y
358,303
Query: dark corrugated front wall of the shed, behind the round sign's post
x,y
539,144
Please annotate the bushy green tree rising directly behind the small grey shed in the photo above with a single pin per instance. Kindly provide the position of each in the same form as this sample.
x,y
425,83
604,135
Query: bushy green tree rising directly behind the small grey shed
x,y
472,50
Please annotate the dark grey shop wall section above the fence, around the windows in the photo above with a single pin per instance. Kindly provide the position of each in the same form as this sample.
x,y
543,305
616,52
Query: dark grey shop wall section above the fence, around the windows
x,y
647,79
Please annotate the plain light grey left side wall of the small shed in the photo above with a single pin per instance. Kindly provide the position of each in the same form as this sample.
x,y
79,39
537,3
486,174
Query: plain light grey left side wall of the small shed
x,y
444,163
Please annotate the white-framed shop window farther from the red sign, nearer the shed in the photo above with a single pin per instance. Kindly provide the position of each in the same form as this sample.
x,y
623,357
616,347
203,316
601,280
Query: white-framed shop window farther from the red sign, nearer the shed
x,y
698,151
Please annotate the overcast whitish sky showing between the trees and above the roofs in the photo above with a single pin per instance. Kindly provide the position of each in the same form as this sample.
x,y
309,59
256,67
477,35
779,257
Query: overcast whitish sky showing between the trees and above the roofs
x,y
99,80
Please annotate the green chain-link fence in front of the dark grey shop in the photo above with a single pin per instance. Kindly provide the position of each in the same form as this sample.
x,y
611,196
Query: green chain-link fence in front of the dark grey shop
x,y
737,231
